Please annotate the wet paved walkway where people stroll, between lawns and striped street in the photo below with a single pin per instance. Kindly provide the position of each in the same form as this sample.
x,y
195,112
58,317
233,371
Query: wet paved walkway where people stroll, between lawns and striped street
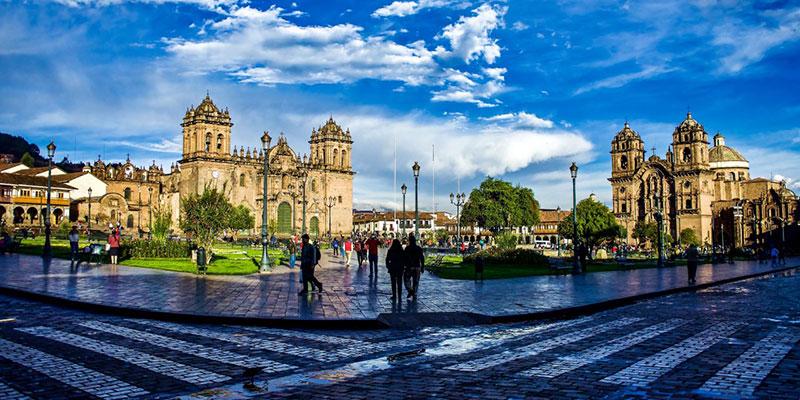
x,y
351,299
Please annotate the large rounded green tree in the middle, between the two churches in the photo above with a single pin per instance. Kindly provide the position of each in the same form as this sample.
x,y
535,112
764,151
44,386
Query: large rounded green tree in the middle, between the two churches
x,y
497,204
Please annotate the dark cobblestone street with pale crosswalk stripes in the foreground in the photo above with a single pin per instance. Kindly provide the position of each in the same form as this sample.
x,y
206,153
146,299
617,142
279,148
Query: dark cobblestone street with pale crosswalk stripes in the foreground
x,y
739,340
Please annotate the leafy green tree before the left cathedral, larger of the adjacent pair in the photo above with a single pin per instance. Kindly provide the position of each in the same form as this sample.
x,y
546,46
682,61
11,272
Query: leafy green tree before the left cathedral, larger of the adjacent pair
x,y
205,216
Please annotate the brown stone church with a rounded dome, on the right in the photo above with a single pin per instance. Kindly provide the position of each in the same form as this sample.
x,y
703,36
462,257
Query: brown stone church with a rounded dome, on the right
x,y
707,189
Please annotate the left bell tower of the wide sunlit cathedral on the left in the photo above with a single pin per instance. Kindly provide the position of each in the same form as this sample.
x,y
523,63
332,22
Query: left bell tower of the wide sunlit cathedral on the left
x,y
206,131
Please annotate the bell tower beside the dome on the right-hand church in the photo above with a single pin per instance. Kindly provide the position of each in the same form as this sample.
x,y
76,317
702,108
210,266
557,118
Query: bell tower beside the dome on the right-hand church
x,y
690,144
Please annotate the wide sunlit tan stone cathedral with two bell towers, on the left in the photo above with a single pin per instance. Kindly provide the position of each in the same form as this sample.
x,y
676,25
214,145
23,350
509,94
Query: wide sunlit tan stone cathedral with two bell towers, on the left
x,y
324,177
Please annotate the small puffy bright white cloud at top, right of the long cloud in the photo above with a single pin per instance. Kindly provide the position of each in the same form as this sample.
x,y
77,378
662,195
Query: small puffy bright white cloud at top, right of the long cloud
x,y
469,36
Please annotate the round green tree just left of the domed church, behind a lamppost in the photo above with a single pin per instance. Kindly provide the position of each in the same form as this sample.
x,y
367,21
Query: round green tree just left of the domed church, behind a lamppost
x,y
596,224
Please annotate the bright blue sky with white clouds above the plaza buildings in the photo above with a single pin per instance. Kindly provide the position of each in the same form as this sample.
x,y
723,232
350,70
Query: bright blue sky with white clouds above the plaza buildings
x,y
515,89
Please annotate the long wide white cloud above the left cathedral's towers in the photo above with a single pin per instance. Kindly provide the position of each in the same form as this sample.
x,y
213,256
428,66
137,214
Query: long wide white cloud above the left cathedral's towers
x,y
263,48
